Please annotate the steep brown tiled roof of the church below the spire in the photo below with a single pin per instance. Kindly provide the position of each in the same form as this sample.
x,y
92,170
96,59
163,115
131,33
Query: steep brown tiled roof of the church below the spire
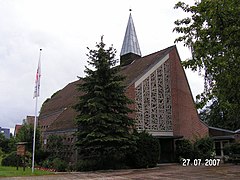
x,y
58,111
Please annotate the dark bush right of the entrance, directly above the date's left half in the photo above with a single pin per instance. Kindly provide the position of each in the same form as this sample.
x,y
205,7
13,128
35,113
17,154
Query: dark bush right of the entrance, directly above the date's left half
x,y
184,149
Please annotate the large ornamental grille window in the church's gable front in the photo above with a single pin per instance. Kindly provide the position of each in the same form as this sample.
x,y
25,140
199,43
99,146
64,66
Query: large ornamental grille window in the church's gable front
x,y
153,101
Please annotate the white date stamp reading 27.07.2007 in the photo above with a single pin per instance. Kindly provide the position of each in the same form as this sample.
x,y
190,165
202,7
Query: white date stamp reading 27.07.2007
x,y
200,162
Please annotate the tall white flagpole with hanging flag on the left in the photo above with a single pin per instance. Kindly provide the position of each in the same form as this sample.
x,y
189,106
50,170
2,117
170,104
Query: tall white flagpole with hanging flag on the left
x,y
36,103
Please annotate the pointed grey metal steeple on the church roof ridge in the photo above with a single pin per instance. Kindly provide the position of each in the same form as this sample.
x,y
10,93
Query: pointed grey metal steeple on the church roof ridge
x,y
130,48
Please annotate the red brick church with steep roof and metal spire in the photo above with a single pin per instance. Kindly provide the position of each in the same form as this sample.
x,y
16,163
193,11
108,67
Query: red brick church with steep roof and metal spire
x,y
157,83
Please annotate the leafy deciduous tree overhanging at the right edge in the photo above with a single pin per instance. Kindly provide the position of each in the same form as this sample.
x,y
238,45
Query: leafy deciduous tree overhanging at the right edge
x,y
213,35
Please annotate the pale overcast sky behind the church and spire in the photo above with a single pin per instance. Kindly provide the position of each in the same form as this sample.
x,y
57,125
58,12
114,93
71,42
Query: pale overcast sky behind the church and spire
x,y
63,29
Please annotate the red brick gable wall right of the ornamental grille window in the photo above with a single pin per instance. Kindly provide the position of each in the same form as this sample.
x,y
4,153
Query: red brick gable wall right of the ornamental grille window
x,y
186,121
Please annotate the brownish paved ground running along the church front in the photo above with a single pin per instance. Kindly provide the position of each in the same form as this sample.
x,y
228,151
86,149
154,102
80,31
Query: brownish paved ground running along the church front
x,y
224,171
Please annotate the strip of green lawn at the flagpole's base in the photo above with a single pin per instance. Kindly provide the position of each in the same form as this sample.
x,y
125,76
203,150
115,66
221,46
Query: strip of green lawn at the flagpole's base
x,y
6,171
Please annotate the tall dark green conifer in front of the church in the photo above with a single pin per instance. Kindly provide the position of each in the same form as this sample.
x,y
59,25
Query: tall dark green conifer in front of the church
x,y
103,123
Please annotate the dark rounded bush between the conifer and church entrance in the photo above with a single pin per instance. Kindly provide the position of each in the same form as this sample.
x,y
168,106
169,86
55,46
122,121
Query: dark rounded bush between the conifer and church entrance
x,y
147,152
